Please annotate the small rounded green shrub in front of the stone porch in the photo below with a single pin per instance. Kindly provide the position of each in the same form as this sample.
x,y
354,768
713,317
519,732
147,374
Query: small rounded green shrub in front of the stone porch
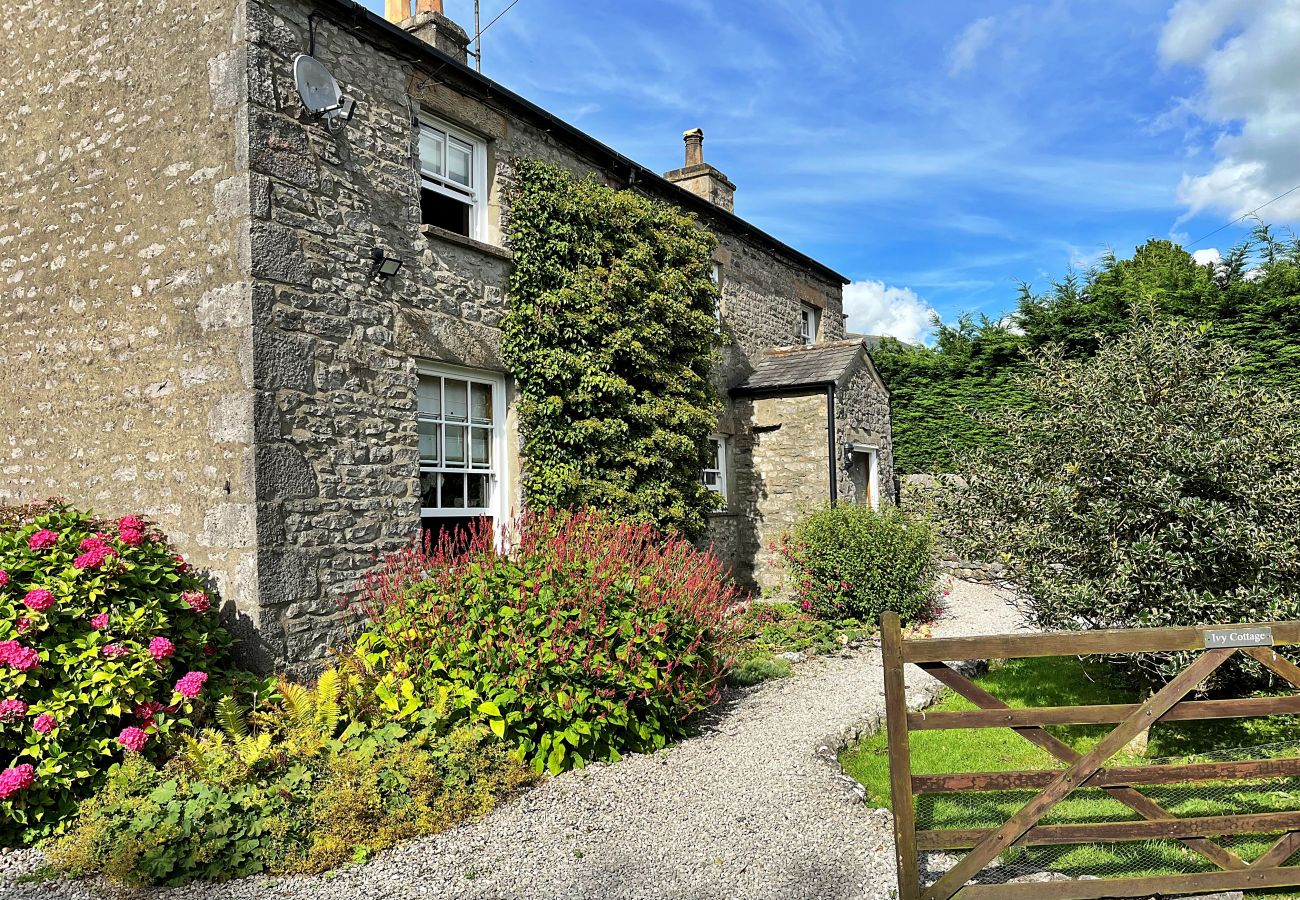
x,y
852,562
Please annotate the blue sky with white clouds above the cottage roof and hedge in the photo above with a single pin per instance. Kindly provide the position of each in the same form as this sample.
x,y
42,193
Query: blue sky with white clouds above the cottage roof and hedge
x,y
939,153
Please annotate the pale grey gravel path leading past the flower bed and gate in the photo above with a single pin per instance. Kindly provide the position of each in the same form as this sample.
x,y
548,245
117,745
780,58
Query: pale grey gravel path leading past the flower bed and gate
x,y
755,807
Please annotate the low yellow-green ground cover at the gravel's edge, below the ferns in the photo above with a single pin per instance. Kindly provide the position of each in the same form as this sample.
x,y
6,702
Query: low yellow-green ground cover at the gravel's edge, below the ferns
x,y
304,815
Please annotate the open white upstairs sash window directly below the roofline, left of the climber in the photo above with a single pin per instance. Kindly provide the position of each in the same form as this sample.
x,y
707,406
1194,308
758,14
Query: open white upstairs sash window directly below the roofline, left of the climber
x,y
453,180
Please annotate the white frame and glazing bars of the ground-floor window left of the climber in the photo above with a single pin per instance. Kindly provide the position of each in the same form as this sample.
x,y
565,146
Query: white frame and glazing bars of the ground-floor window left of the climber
x,y
497,468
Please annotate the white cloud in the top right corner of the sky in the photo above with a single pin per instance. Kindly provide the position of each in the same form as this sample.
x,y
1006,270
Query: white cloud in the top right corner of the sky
x,y
1247,54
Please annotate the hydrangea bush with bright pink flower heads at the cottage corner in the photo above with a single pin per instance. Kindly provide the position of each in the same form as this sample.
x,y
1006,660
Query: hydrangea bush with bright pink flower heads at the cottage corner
x,y
98,621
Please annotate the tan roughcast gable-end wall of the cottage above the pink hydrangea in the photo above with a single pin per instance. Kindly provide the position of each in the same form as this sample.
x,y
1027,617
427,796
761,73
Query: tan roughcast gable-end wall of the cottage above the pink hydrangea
x,y
125,358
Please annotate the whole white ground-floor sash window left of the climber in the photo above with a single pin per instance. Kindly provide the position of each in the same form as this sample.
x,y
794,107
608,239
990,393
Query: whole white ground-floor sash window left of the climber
x,y
461,418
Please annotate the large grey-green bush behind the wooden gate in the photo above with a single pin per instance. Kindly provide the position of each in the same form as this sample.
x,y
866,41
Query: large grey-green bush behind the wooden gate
x,y
1150,487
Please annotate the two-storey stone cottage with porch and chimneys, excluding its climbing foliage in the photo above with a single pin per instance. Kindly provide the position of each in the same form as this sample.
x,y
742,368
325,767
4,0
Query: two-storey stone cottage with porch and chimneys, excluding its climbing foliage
x,y
200,323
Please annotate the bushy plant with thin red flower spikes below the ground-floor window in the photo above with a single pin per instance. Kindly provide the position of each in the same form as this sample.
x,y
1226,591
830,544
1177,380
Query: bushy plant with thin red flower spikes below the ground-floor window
x,y
586,639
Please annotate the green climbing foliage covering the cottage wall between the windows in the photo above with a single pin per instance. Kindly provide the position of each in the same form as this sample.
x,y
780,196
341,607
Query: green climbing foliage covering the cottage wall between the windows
x,y
612,335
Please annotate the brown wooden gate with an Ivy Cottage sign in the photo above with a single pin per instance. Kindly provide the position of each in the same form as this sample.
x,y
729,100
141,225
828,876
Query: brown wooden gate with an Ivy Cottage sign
x,y
1087,771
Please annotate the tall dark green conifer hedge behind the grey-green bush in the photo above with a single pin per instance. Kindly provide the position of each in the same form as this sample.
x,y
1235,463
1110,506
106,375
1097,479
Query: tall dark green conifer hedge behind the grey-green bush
x,y
946,395
